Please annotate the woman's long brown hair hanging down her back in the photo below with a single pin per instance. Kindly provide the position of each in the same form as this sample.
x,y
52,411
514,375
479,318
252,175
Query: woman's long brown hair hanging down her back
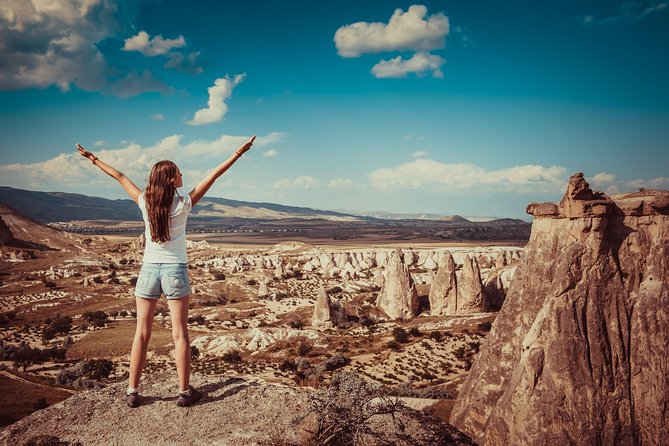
x,y
159,195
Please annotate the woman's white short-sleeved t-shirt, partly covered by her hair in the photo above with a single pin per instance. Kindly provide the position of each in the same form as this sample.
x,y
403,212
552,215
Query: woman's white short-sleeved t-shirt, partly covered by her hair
x,y
173,250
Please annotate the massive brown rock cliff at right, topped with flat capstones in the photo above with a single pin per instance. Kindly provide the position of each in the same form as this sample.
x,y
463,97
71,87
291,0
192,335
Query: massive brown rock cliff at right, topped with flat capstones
x,y
578,353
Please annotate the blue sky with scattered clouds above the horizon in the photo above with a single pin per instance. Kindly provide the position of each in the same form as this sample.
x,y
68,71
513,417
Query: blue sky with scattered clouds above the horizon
x,y
449,107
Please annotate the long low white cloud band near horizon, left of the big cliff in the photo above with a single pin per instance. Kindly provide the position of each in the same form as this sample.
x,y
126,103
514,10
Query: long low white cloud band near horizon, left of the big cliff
x,y
464,177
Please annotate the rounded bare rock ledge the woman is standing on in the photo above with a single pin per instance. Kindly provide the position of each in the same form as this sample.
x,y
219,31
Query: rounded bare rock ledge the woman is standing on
x,y
240,411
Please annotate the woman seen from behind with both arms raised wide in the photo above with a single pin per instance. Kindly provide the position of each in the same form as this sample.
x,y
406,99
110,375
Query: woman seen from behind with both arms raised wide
x,y
164,265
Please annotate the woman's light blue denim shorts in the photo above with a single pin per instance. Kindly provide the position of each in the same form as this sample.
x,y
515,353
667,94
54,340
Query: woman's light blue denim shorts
x,y
170,279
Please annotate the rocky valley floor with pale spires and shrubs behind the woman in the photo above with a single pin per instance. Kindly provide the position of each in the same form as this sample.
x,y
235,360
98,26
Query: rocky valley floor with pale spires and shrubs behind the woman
x,y
291,315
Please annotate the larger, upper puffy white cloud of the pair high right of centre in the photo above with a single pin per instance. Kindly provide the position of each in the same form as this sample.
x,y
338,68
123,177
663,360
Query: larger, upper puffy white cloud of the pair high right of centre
x,y
411,30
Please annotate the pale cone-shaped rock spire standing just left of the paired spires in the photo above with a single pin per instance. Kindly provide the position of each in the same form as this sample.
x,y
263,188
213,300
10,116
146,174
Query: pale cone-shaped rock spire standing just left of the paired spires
x,y
398,297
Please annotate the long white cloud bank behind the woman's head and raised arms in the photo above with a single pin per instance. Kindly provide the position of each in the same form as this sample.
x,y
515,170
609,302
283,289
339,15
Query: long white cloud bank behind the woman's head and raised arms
x,y
71,172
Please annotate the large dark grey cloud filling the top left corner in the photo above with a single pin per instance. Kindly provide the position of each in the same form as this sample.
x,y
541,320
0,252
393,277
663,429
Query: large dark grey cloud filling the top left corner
x,y
54,43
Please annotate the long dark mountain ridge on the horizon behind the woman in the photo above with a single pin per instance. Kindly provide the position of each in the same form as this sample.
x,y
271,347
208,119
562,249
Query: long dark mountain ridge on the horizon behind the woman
x,y
49,207
